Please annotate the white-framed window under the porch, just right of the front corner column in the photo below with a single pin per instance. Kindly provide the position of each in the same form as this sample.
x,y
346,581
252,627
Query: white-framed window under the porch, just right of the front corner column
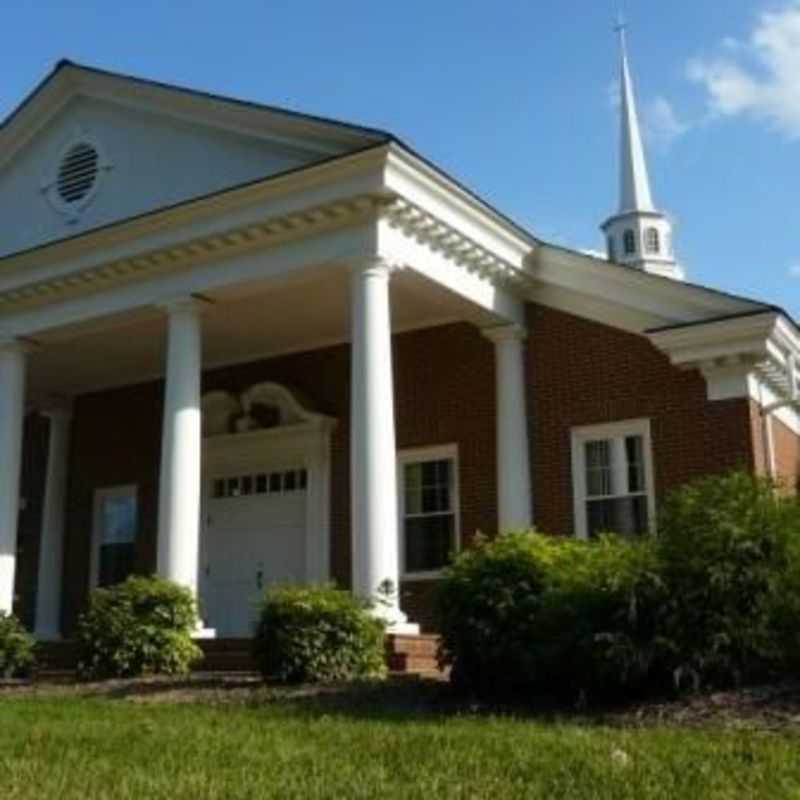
x,y
429,520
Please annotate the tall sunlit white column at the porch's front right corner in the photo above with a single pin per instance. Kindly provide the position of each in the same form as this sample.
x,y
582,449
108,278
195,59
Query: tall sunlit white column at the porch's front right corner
x,y
373,456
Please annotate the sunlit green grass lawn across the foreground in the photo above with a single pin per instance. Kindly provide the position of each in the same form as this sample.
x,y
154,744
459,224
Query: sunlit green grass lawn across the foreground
x,y
89,747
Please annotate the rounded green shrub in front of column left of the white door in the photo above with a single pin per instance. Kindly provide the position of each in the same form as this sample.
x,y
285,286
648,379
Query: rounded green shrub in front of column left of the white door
x,y
137,627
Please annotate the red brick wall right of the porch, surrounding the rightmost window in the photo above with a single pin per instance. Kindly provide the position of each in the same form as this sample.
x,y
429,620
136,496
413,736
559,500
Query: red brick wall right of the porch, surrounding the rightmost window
x,y
584,373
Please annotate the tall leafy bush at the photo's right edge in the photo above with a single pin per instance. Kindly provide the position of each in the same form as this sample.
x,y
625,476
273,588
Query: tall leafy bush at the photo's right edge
x,y
728,554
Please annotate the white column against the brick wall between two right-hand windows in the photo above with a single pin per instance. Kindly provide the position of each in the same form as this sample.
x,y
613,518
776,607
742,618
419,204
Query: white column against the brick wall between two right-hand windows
x,y
513,459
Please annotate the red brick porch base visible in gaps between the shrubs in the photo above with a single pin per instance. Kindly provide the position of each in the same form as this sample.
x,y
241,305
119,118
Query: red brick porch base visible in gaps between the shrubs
x,y
405,655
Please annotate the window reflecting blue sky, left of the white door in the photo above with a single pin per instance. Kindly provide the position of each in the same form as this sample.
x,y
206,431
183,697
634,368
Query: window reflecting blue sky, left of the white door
x,y
116,515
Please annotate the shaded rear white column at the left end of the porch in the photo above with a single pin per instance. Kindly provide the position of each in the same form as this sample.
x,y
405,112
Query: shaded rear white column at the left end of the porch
x,y
51,547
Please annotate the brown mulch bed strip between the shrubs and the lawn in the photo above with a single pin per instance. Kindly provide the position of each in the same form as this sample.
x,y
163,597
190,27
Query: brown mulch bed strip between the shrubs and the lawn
x,y
771,706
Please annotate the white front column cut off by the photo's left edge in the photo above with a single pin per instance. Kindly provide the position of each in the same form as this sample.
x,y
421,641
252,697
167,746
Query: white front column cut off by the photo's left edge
x,y
12,416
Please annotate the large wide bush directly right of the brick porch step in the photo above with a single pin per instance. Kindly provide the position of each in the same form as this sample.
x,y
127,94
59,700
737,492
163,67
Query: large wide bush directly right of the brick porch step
x,y
549,615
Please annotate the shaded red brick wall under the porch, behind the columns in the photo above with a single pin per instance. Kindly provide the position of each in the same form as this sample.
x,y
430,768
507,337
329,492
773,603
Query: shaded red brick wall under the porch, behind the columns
x,y
444,381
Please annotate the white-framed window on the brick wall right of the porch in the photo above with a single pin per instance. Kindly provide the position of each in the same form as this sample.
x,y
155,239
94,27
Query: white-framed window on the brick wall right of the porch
x,y
613,479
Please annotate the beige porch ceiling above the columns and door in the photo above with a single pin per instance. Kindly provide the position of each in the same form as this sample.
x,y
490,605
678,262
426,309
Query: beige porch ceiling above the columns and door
x,y
305,313
